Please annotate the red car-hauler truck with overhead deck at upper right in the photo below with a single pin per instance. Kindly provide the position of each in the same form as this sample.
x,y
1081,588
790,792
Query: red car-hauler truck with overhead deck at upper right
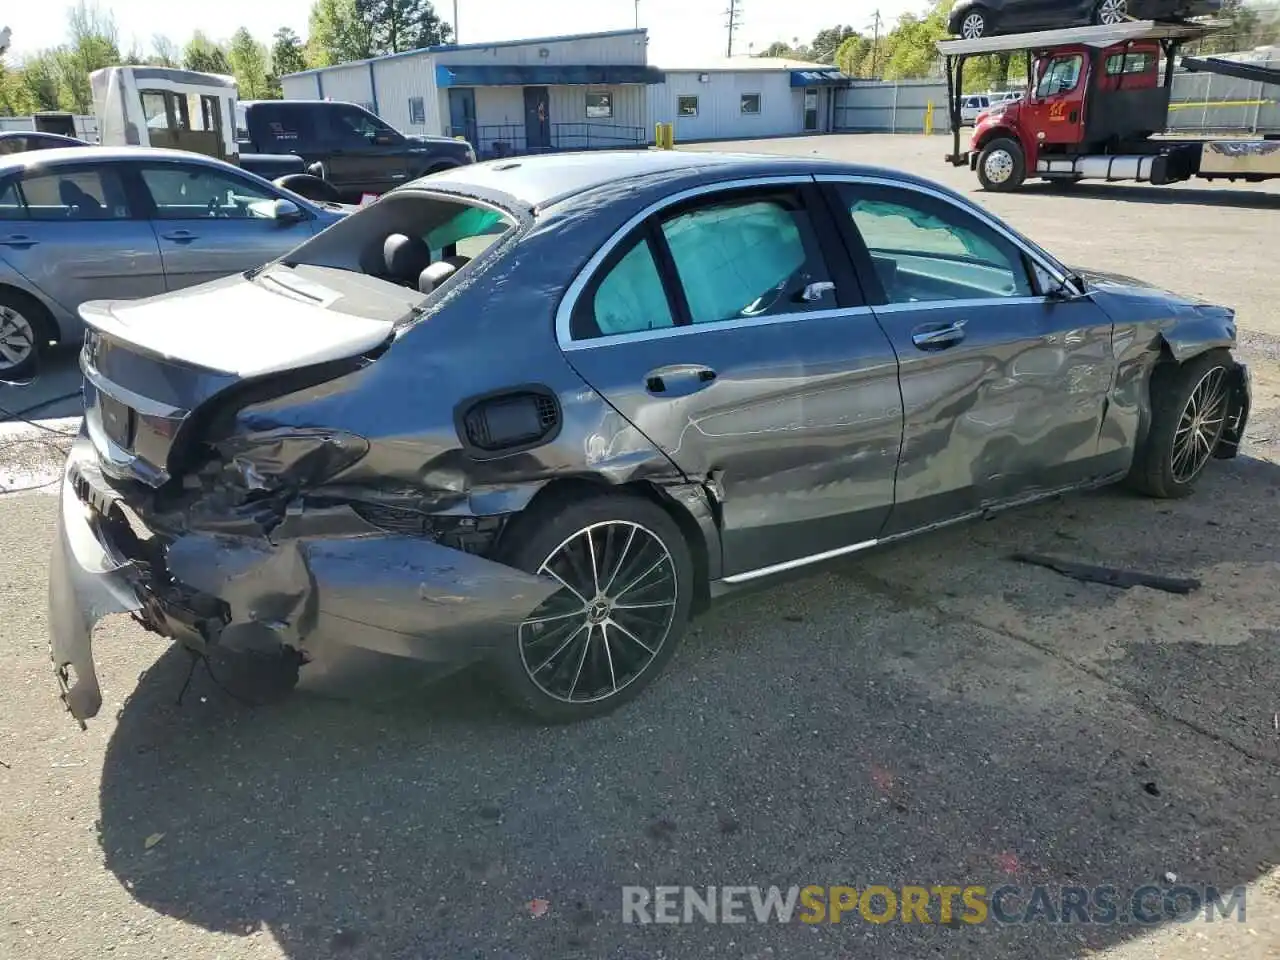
x,y
1096,102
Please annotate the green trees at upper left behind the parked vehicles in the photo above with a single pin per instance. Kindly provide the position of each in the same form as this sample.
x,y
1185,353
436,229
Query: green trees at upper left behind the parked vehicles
x,y
340,31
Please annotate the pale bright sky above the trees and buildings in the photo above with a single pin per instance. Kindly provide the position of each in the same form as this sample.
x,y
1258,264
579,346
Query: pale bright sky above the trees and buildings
x,y
680,31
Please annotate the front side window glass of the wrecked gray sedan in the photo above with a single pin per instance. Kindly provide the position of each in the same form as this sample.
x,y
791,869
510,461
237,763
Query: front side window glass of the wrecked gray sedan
x,y
927,250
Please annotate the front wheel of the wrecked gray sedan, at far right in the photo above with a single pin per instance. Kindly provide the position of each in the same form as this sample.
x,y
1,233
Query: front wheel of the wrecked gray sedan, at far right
x,y
1190,406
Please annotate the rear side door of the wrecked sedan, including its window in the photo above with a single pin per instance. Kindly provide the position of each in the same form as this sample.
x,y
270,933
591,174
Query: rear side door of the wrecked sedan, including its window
x,y
729,331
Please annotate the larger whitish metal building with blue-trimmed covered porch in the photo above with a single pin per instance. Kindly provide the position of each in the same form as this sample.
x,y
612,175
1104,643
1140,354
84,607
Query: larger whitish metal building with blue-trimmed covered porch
x,y
554,93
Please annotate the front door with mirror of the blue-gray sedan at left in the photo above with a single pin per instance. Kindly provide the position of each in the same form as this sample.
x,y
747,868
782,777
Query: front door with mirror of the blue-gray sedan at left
x,y
211,222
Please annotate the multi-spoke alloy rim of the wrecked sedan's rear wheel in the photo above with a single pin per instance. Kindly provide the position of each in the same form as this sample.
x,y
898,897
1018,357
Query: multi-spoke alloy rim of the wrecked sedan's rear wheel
x,y
610,619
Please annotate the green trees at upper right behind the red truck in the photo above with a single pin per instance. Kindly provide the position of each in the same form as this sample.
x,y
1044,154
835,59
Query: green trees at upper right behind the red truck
x,y
908,48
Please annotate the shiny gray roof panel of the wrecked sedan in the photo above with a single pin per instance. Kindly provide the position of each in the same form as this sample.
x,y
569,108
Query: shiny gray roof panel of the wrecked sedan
x,y
541,181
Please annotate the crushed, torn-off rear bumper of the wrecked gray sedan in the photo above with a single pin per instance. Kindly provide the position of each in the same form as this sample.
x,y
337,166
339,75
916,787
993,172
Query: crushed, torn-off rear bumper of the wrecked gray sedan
x,y
348,602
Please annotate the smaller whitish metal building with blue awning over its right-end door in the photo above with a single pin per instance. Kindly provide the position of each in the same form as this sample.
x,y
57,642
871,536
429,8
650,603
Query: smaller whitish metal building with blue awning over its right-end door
x,y
747,97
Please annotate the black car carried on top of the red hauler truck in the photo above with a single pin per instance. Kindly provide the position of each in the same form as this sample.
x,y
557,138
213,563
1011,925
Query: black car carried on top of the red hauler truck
x,y
972,20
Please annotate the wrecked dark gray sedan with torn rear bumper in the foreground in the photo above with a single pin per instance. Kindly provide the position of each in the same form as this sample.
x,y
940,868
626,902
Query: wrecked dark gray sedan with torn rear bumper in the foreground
x,y
538,413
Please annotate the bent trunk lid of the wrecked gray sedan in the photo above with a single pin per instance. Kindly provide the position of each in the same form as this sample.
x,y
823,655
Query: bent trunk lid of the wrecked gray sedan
x,y
152,365
